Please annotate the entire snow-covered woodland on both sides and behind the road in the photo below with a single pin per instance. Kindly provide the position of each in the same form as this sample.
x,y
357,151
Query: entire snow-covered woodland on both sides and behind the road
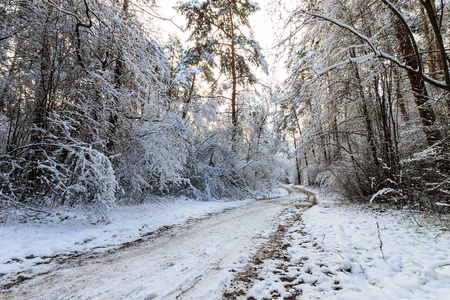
x,y
96,109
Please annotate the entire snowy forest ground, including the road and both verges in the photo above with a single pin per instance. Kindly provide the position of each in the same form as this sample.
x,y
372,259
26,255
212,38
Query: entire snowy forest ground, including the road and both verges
x,y
266,249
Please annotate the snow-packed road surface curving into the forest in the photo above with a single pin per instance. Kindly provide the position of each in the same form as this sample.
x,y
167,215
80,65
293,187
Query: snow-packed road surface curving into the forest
x,y
195,260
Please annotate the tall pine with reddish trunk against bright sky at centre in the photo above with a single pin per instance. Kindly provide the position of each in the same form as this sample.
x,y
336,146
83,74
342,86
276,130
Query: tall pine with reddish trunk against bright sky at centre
x,y
222,36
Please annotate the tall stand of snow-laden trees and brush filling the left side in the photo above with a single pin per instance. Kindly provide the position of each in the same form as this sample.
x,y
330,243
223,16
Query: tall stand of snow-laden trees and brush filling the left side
x,y
74,77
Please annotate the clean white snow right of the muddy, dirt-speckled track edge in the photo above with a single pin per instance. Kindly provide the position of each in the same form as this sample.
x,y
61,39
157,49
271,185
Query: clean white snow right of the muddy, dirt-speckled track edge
x,y
413,262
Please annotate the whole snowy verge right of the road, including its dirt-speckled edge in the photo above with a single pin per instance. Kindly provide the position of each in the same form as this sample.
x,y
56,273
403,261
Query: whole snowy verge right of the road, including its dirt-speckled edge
x,y
334,252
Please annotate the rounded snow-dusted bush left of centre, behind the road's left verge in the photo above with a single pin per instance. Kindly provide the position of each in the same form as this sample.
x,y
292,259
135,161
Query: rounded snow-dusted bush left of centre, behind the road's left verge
x,y
153,160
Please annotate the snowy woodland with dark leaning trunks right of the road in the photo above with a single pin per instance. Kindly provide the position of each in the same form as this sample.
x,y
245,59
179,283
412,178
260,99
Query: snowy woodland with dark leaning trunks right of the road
x,y
367,99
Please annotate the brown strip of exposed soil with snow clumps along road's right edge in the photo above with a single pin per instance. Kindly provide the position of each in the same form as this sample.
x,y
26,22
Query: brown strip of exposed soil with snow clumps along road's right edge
x,y
287,274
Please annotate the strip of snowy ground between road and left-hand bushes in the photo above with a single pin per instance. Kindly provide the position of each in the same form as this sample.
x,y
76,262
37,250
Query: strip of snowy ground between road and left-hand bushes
x,y
27,248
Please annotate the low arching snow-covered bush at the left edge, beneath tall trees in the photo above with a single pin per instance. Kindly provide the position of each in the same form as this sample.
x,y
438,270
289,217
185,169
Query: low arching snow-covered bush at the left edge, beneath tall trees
x,y
53,174
